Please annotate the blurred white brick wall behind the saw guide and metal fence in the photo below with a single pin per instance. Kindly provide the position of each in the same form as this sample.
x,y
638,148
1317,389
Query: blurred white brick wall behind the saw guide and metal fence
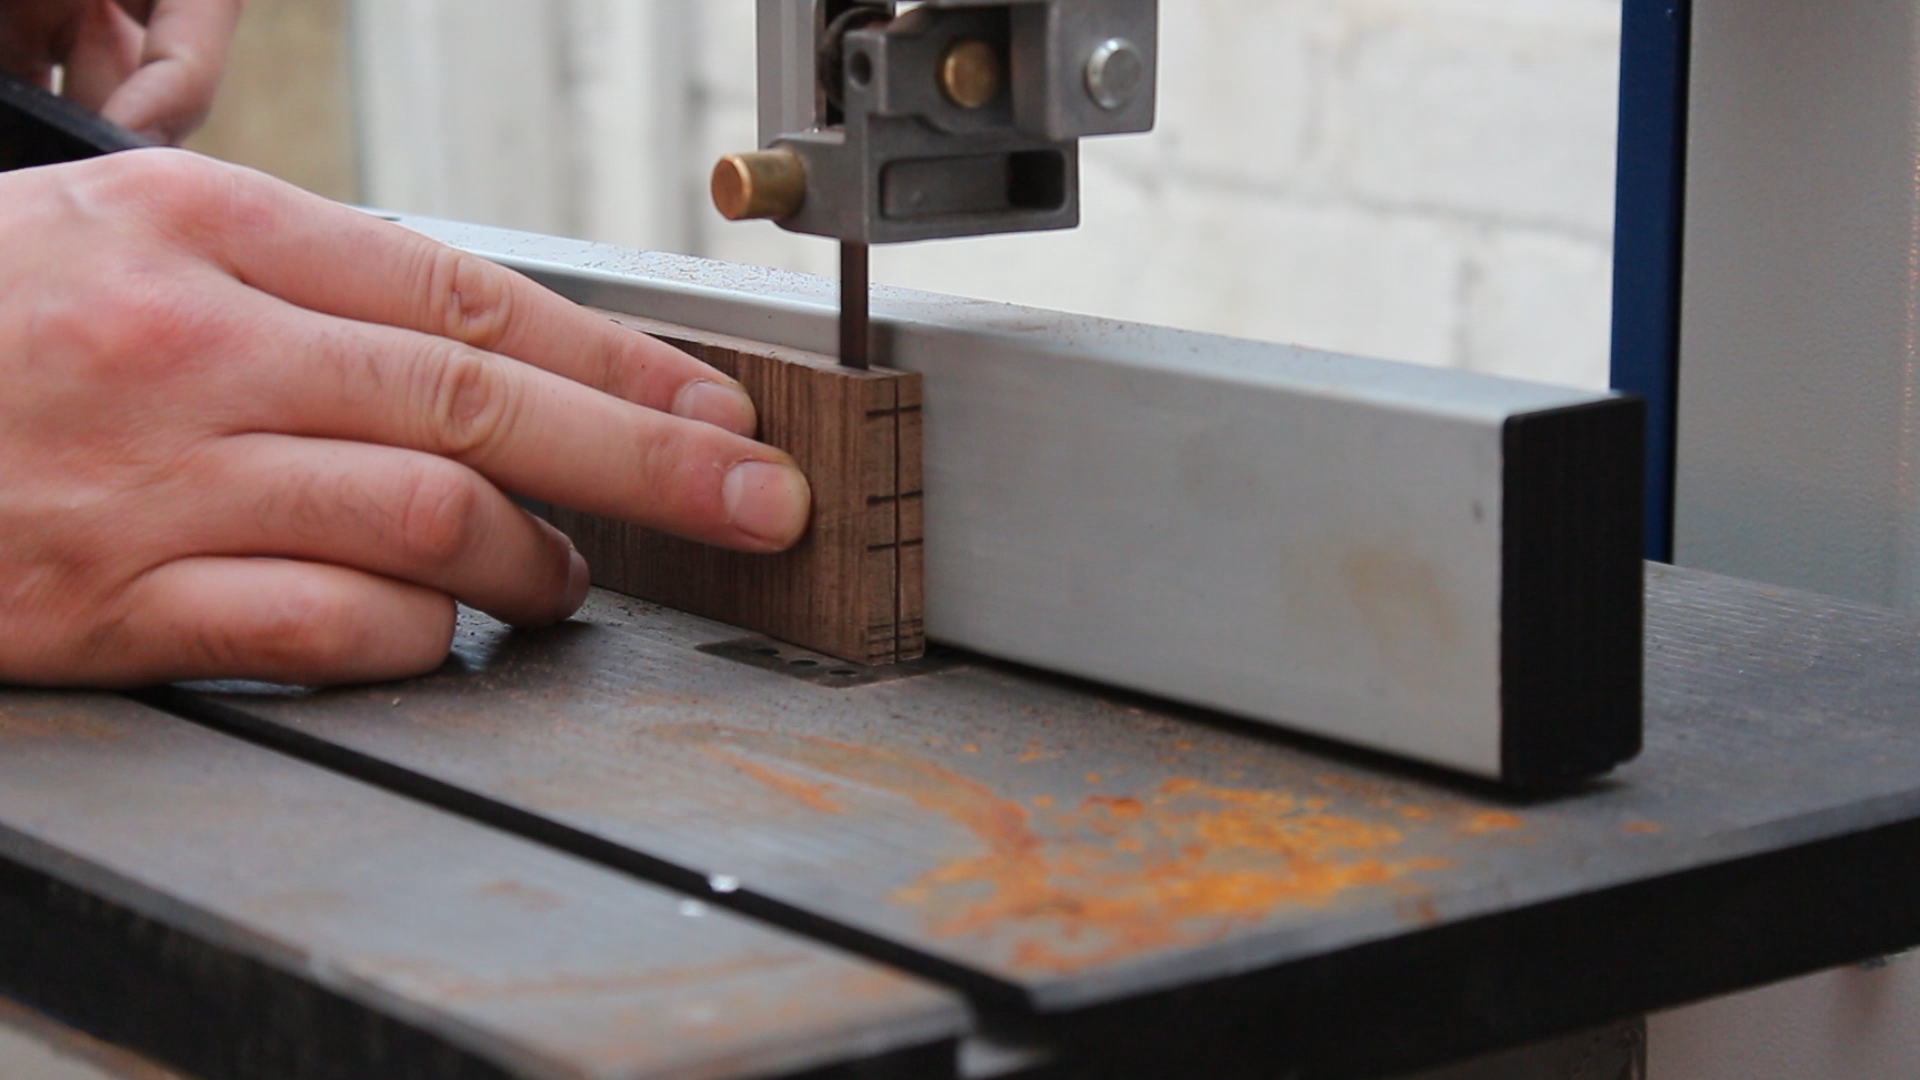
x,y
1418,180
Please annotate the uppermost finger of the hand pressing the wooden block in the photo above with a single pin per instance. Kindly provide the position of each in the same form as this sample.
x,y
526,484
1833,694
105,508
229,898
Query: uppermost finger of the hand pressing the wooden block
x,y
341,262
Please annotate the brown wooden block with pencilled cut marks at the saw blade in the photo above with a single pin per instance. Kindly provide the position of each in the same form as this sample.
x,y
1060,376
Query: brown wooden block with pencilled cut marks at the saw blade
x,y
855,583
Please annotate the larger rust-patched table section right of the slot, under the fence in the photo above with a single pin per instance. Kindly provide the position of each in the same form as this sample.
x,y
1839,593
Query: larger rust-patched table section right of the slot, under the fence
x,y
1151,881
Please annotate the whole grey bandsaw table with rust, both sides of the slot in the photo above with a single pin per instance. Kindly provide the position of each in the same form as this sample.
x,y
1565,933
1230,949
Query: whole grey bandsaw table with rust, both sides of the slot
x,y
613,850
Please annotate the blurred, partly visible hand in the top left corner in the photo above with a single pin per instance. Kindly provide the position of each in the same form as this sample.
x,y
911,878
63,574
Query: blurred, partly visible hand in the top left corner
x,y
151,66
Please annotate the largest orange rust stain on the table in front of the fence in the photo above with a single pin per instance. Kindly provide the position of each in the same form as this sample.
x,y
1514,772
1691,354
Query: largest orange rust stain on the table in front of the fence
x,y
1113,875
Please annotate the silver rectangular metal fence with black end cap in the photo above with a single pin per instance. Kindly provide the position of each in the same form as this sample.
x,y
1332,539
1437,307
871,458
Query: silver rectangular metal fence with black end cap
x,y
1364,551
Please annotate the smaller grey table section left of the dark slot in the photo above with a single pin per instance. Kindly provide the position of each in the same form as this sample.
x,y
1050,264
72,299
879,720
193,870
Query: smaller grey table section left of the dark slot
x,y
243,914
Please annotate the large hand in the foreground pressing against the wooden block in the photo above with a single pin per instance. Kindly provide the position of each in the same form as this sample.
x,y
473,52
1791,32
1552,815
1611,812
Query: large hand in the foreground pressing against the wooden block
x,y
249,433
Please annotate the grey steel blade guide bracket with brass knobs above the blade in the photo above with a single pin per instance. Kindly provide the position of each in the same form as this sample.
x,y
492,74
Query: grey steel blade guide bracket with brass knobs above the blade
x,y
886,122
